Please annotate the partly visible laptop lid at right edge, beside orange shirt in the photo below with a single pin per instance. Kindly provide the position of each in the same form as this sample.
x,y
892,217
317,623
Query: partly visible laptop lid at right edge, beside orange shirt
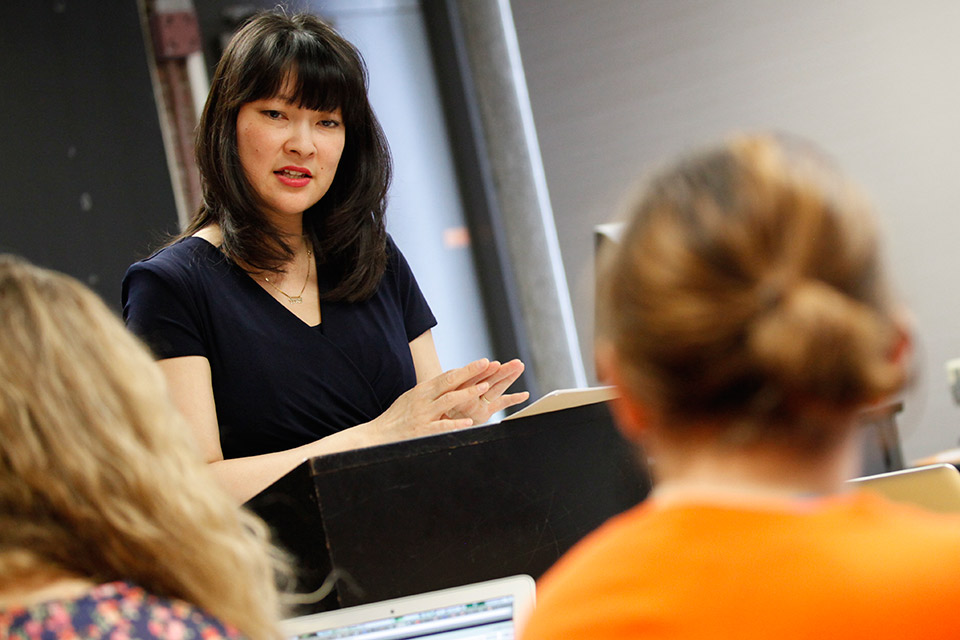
x,y
935,487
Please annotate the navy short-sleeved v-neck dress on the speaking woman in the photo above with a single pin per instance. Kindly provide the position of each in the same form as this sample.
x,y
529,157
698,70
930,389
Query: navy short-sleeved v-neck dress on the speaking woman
x,y
277,382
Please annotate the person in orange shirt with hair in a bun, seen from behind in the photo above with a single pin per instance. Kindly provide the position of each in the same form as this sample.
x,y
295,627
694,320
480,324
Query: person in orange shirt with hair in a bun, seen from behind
x,y
745,319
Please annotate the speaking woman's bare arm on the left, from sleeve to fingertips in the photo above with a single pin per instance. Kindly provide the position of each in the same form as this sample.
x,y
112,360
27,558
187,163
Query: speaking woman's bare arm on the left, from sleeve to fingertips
x,y
418,412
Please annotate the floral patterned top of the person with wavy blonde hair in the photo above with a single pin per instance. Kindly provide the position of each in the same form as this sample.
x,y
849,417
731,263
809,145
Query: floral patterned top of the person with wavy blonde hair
x,y
113,611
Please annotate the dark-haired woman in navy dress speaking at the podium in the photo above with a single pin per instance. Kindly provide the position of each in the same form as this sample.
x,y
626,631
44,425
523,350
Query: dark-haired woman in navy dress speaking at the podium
x,y
287,321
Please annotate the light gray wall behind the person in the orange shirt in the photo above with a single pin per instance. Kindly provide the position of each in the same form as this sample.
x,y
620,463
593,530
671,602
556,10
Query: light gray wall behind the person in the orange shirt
x,y
619,85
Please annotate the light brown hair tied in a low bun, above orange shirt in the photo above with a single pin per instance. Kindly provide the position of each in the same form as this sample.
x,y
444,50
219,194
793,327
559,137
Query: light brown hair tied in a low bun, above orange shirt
x,y
747,292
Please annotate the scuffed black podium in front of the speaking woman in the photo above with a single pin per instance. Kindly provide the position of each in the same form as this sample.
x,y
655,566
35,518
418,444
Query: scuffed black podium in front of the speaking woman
x,y
454,508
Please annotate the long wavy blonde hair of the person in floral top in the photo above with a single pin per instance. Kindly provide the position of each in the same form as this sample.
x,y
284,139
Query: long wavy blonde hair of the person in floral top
x,y
98,476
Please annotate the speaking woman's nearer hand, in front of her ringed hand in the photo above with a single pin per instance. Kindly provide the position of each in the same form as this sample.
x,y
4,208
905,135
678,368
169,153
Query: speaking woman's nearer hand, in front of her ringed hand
x,y
430,407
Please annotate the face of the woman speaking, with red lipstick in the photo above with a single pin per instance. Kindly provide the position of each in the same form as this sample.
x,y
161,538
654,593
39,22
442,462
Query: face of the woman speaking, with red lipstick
x,y
288,153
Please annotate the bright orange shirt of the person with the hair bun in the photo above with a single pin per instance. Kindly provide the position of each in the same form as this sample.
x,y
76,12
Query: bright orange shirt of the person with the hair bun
x,y
845,567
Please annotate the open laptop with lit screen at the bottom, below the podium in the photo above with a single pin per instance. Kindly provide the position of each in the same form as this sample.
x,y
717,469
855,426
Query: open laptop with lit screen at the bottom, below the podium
x,y
491,610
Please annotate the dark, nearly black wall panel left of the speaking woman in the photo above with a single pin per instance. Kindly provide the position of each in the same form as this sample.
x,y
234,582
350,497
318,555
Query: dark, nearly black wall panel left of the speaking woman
x,y
83,176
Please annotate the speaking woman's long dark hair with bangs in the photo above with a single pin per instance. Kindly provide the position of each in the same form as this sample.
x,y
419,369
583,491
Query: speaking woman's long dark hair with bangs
x,y
347,225
